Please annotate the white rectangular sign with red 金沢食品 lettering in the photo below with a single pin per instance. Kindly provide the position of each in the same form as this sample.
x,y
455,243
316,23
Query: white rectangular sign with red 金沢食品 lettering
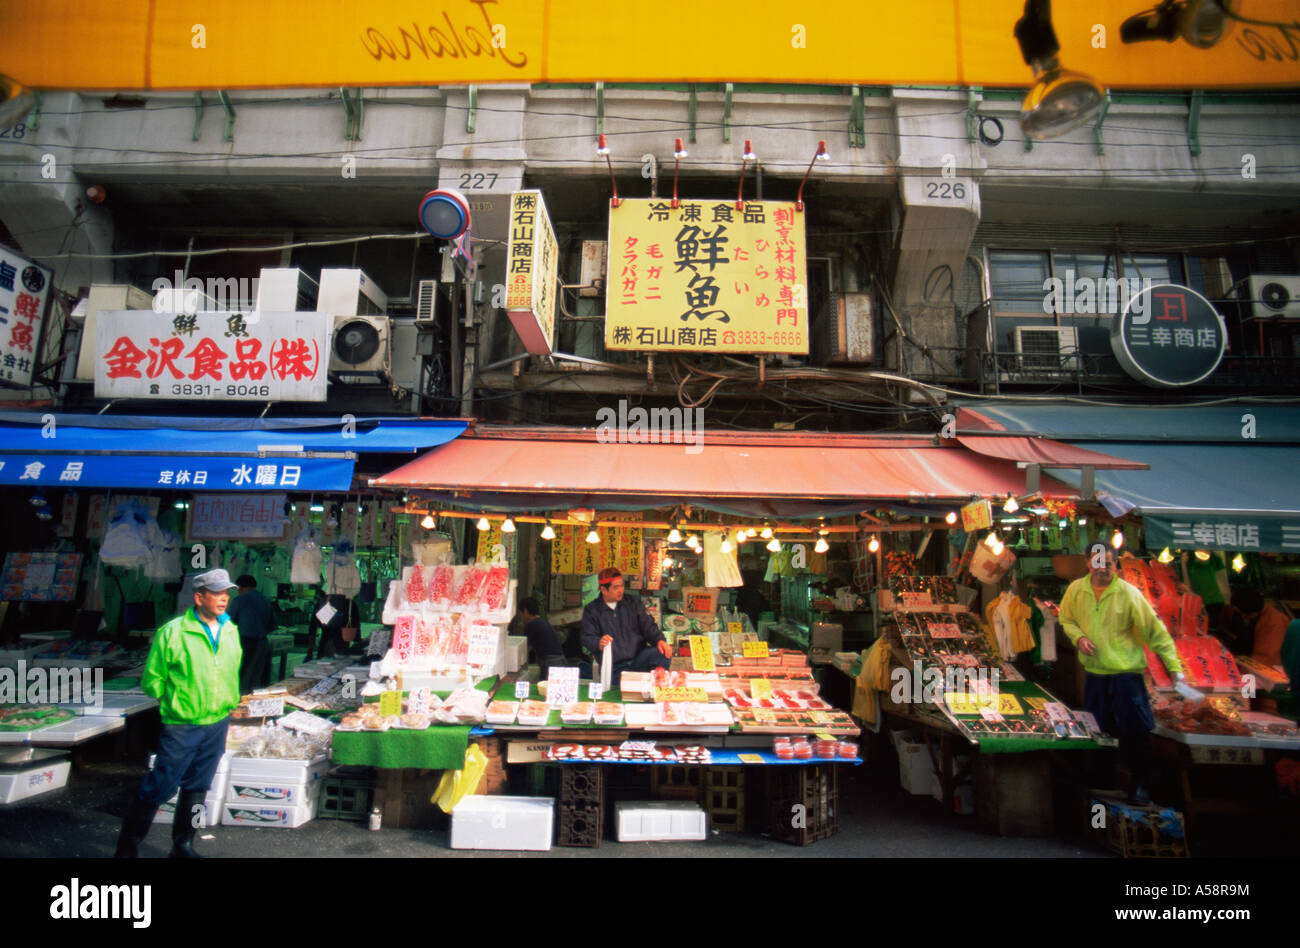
x,y
214,356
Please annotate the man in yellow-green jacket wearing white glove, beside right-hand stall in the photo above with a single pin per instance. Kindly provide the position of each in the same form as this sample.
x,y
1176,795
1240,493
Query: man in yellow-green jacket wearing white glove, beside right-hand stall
x,y
1110,622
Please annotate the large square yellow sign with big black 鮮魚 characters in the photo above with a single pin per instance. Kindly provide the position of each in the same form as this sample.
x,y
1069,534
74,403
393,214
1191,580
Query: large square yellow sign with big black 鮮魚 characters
x,y
708,278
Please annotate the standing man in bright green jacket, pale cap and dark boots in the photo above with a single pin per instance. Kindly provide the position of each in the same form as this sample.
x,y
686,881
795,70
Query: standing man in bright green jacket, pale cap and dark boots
x,y
193,670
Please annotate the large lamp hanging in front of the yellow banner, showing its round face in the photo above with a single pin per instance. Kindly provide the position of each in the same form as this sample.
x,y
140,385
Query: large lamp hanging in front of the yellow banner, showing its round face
x,y
1060,99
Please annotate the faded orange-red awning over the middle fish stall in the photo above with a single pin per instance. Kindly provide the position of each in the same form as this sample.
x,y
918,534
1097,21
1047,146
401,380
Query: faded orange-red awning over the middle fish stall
x,y
725,465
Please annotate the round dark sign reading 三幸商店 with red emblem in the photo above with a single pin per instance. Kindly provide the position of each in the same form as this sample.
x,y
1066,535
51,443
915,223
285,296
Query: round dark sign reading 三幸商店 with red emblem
x,y
1169,336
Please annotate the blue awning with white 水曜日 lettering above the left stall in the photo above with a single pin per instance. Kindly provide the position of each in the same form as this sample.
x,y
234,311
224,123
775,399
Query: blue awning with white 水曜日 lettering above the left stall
x,y
224,454
